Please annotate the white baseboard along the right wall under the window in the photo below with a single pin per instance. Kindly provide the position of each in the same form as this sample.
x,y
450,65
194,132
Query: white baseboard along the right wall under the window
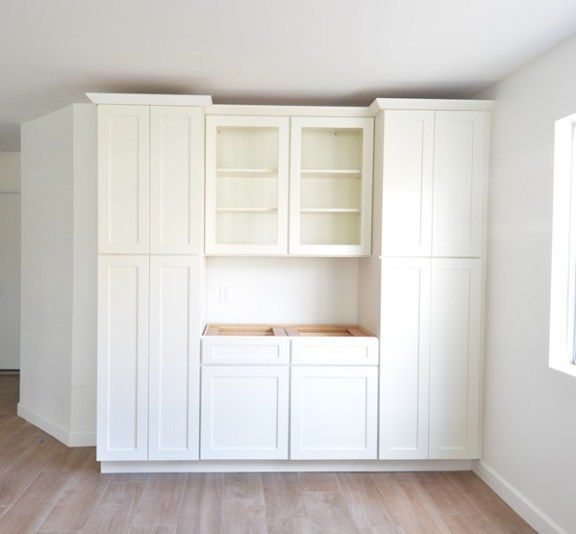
x,y
526,509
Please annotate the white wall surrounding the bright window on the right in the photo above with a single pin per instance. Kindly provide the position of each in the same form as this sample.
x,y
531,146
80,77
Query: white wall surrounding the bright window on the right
x,y
529,439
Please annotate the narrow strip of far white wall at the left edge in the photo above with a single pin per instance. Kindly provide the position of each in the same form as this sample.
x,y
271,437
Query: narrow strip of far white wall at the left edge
x,y
9,260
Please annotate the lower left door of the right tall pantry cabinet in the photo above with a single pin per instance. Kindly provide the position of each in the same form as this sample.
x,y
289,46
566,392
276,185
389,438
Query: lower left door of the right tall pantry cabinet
x,y
405,358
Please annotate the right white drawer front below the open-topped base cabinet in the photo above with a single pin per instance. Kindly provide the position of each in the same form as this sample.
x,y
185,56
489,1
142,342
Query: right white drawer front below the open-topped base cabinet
x,y
335,351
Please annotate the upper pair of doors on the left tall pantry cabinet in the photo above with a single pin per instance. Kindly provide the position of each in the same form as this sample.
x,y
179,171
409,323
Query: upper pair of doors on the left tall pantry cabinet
x,y
150,179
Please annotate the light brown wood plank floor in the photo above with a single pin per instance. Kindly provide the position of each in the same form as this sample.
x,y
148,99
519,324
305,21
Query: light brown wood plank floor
x,y
47,487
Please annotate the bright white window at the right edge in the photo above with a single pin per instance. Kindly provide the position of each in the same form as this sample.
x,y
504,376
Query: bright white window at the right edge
x,y
563,286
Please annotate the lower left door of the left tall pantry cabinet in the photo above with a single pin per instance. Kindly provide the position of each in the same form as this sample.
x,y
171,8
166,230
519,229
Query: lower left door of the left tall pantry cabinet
x,y
122,358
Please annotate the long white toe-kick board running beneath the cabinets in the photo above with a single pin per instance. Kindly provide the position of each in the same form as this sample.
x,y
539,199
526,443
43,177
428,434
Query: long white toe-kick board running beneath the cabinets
x,y
283,466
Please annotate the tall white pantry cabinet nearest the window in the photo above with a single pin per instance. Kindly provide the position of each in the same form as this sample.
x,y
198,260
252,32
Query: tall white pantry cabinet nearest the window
x,y
433,171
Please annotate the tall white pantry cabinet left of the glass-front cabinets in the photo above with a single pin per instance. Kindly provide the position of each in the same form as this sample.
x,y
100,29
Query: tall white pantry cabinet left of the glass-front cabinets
x,y
151,197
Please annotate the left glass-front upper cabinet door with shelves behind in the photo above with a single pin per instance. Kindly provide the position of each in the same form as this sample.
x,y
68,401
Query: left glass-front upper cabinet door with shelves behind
x,y
246,185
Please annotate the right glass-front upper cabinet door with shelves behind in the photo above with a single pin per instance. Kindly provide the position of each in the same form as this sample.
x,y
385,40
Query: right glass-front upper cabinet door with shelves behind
x,y
331,186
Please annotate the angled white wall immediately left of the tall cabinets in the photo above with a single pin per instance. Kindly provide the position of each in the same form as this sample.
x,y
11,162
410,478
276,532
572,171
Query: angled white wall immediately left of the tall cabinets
x,y
58,274
